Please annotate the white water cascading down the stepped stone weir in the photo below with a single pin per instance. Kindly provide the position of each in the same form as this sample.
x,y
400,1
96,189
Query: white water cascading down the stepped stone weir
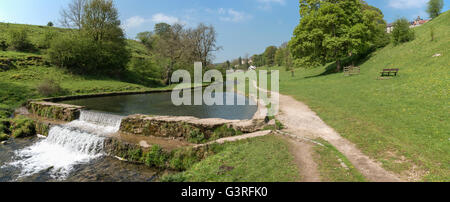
x,y
77,142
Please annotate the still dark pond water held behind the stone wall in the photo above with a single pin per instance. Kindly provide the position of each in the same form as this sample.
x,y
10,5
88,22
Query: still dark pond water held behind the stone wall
x,y
161,104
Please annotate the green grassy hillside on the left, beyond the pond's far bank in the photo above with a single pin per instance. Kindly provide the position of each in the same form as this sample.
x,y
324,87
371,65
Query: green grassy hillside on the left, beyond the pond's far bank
x,y
21,72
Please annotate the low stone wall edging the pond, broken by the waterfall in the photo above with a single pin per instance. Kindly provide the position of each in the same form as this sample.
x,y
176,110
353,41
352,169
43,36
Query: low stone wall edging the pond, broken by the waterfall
x,y
186,128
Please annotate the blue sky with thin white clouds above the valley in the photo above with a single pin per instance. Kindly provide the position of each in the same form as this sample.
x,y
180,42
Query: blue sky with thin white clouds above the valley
x,y
243,26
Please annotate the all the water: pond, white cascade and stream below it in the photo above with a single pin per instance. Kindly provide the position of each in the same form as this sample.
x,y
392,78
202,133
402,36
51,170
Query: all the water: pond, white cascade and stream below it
x,y
75,151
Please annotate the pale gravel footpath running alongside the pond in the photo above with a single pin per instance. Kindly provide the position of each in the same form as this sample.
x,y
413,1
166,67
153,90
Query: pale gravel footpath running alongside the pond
x,y
301,121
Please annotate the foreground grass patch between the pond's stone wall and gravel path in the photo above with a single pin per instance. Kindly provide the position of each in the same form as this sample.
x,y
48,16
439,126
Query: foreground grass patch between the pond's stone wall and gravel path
x,y
264,159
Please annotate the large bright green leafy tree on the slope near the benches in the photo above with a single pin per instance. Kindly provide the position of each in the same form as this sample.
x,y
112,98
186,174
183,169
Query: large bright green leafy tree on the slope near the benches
x,y
330,30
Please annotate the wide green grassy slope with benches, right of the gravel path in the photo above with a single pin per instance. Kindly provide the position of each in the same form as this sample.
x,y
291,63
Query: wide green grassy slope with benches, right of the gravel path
x,y
402,122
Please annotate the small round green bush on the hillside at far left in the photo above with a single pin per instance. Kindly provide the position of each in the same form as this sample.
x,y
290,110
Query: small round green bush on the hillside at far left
x,y
18,40
